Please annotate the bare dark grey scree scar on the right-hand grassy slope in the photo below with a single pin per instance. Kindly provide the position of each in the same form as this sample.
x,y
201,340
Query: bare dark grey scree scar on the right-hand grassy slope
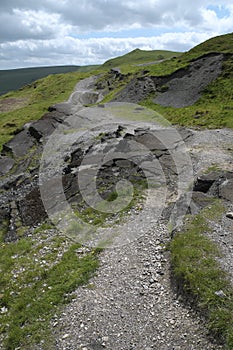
x,y
180,89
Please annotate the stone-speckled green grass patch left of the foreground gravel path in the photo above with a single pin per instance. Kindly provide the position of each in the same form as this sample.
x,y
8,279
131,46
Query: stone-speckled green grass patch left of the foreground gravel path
x,y
35,281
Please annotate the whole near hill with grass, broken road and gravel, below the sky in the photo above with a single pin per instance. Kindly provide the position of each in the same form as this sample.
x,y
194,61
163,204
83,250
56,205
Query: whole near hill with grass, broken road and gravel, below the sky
x,y
46,254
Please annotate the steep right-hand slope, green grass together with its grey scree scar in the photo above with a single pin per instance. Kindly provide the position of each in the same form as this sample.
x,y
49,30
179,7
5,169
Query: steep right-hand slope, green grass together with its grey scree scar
x,y
200,80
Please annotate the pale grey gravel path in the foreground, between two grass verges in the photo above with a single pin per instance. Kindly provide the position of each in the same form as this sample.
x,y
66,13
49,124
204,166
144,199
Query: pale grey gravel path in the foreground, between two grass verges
x,y
129,304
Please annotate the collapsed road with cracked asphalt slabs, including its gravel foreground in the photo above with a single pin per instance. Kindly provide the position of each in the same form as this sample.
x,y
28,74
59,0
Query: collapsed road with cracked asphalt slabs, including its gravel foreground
x,y
50,165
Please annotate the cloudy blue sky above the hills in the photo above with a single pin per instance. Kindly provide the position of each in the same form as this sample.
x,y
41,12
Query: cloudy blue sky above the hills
x,y
82,32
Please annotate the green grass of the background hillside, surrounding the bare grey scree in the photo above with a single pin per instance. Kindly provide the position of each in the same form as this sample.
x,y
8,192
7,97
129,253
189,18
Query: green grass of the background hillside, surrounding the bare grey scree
x,y
213,110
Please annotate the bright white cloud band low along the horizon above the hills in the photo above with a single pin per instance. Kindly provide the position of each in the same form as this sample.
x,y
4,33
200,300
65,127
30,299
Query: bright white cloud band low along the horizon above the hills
x,y
67,50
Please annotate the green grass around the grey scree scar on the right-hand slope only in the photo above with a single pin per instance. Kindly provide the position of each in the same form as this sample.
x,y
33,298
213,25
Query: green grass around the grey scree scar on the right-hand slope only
x,y
215,108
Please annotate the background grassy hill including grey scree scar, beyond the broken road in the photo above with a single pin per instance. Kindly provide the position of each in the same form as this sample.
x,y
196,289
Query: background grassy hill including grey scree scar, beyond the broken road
x,y
212,106
